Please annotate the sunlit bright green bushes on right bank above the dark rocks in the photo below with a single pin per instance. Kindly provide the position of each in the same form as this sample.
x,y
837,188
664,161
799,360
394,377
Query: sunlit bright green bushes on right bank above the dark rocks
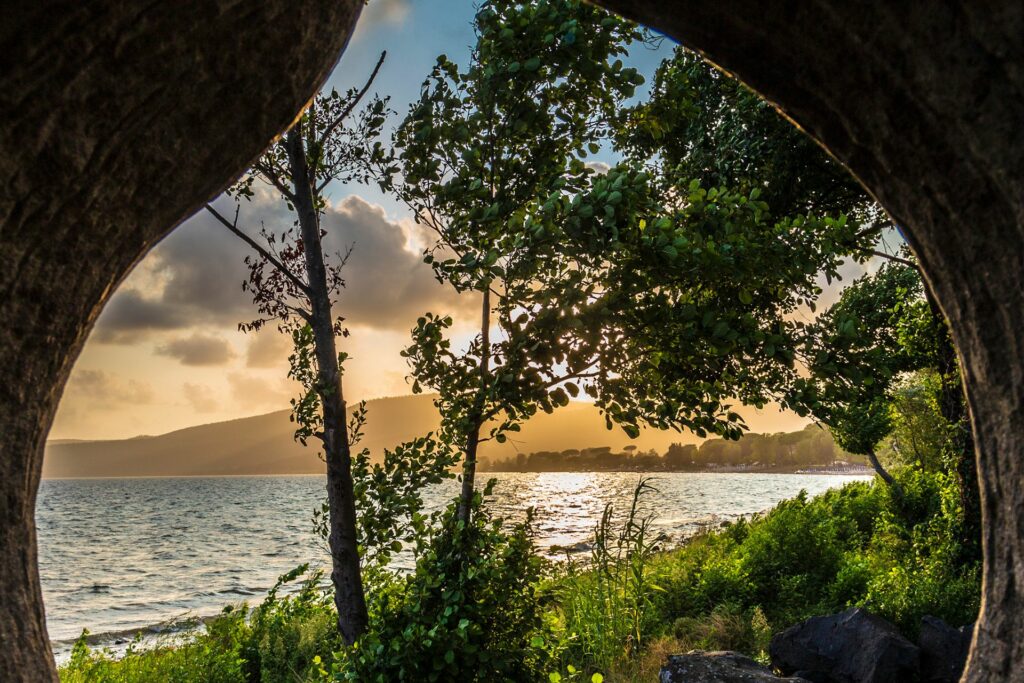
x,y
861,545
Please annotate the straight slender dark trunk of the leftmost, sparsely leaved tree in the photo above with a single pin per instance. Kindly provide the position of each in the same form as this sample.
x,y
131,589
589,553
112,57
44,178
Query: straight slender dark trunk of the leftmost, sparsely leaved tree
x,y
346,573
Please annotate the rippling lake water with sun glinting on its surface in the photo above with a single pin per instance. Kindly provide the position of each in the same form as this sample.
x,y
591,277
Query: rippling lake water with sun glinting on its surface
x,y
117,556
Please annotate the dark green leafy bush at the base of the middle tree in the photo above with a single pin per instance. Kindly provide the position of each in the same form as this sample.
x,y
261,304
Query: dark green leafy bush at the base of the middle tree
x,y
470,611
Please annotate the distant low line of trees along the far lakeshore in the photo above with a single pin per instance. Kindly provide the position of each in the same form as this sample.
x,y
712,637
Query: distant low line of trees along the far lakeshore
x,y
810,448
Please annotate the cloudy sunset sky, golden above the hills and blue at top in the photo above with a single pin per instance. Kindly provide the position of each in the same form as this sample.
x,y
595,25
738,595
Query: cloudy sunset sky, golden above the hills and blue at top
x,y
166,353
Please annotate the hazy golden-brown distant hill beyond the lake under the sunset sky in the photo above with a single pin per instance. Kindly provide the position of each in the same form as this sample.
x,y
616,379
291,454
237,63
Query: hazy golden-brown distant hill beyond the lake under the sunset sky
x,y
264,445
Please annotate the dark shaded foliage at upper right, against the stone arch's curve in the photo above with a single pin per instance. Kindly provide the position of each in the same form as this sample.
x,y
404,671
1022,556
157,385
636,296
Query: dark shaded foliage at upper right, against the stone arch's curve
x,y
709,127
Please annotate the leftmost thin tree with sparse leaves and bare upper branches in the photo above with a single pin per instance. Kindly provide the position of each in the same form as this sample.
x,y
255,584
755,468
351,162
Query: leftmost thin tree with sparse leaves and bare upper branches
x,y
294,285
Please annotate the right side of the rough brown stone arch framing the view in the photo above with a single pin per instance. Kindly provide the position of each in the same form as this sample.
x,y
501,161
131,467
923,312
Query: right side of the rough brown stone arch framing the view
x,y
924,102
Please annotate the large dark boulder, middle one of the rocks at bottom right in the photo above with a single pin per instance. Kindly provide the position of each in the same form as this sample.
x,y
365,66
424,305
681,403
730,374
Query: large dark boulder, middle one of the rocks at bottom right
x,y
855,647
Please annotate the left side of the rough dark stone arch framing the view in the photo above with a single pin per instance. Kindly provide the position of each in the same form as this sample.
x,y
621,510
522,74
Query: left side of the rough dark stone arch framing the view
x,y
119,120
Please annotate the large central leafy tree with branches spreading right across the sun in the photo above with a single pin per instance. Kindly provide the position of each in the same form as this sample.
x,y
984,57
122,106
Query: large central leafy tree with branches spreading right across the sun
x,y
613,285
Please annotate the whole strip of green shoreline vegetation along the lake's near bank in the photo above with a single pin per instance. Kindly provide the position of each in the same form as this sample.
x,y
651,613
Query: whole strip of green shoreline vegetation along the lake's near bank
x,y
500,617
